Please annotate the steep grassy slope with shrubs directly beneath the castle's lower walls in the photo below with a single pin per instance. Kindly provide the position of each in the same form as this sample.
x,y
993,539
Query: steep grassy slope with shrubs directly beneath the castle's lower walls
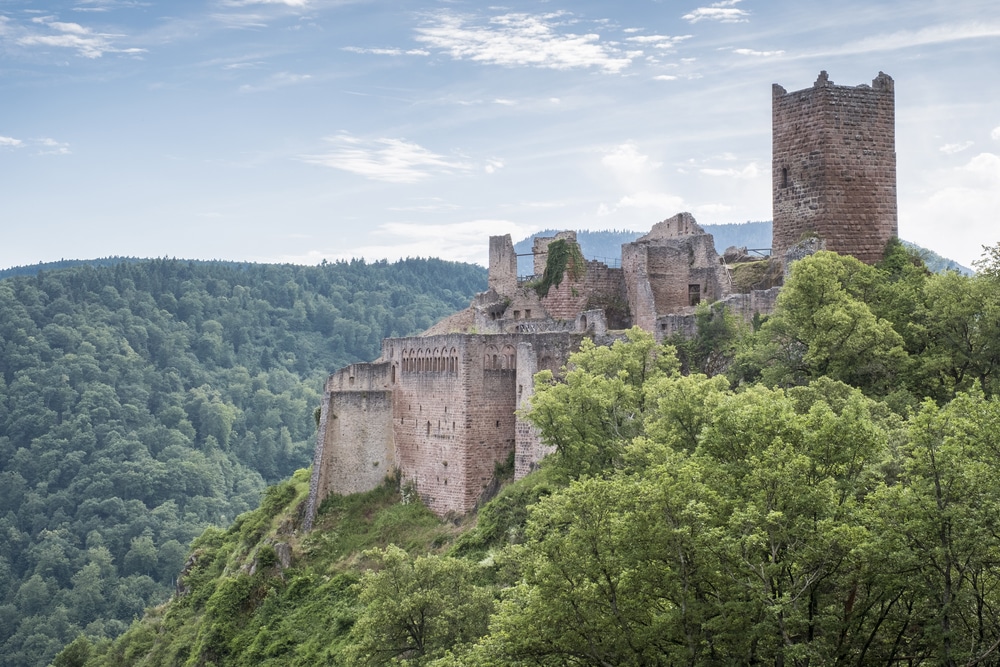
x,y
241,608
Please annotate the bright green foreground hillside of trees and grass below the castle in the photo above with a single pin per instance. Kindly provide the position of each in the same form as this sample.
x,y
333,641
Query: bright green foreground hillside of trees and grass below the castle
x,y
819,488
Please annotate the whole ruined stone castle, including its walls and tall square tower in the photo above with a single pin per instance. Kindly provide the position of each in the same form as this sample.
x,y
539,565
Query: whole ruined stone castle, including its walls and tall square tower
x,y
441,408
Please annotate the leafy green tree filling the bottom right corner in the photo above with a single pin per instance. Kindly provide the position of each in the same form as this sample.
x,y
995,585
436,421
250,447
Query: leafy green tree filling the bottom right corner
x,y
941,524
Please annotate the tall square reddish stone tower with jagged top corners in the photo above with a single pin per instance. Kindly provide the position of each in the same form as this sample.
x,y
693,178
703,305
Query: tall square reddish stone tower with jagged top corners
x,y
834,166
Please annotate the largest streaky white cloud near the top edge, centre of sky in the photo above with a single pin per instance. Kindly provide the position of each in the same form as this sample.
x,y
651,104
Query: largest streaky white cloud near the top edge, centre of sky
x,y
519,39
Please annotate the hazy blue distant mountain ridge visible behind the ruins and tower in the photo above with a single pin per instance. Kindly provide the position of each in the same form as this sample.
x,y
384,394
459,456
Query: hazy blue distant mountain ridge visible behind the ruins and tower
x,y
606,245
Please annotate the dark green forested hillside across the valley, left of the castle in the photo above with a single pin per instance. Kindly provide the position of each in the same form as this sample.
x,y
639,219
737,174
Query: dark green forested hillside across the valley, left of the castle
x,y
142,401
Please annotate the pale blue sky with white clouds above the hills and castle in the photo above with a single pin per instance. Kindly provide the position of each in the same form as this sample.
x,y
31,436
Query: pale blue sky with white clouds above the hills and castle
x,y
310,130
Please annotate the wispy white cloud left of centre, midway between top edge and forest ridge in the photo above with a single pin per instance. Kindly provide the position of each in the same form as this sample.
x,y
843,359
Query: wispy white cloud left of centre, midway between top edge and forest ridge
x,y
390,160
